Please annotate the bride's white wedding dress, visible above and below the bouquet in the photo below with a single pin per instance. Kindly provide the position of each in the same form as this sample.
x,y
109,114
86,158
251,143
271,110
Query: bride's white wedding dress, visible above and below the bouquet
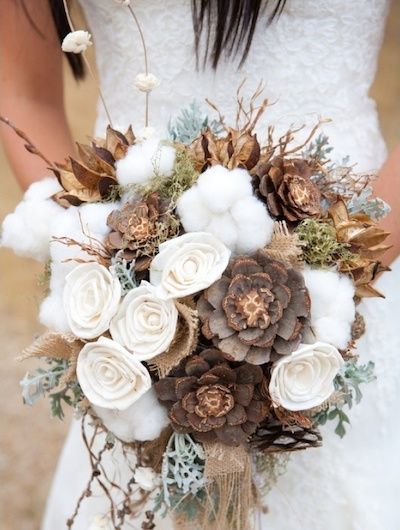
x,y
318,59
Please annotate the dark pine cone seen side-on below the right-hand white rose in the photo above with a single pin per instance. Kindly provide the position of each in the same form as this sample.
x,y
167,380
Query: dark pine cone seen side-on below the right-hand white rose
x,y
273,437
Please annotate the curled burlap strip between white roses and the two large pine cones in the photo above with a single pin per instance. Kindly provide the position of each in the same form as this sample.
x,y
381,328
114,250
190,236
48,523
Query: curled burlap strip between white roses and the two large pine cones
x,y
184,344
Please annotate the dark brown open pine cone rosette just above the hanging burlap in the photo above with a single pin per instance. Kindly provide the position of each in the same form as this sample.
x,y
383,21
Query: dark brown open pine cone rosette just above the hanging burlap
x,y
213,400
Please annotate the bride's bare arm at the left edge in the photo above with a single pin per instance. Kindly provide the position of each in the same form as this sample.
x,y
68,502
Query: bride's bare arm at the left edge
x,y
31,87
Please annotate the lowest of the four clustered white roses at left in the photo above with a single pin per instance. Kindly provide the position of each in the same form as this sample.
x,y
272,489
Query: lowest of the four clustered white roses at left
x,y
110,376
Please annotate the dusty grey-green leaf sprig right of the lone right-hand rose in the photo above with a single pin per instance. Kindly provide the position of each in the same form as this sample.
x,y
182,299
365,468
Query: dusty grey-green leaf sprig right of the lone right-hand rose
x,y
347,384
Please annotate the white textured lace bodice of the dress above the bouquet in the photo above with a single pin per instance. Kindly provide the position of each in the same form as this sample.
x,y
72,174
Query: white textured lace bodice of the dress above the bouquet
x,y
317,59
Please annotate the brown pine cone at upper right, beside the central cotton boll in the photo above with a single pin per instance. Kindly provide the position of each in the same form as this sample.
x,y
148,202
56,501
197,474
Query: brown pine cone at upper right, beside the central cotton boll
x,y
285,186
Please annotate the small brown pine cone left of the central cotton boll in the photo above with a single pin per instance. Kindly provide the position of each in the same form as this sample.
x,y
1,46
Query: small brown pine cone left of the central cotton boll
x,y
136,230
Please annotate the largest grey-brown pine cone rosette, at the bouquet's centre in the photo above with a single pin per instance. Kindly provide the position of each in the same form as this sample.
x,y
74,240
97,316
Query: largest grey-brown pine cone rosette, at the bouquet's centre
x,y
258,309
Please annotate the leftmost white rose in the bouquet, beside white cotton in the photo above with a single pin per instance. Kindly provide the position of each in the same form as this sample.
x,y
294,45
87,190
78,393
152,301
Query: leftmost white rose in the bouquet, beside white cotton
x,y
91,298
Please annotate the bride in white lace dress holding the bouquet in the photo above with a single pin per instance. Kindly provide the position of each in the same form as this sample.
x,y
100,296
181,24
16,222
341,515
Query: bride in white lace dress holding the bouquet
x,y
316,58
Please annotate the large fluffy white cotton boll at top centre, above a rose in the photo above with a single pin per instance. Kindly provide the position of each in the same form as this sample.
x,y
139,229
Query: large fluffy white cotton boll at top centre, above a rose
x,y
222,203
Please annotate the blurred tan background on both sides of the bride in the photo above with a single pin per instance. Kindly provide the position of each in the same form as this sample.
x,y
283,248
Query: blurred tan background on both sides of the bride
x,y
29,440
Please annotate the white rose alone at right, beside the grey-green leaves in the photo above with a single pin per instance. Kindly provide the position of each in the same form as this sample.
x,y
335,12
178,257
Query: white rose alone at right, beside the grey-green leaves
x,y
305,379
